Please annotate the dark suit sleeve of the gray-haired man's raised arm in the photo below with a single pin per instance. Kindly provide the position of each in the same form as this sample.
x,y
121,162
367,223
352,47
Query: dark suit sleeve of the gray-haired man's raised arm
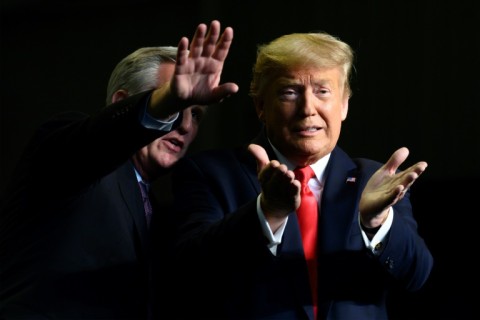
x,y
79,149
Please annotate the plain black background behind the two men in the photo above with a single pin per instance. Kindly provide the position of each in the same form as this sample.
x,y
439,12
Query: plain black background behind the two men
x,y
416,84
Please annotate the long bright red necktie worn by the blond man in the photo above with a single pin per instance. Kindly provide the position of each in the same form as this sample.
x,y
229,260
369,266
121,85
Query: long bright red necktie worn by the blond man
x,y
307,215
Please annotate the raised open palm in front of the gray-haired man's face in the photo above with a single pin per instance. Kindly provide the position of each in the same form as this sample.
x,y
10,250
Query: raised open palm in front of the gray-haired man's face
x,y
198,69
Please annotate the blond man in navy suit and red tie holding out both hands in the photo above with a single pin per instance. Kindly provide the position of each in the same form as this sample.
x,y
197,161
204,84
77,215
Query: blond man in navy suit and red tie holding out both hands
x,y
241,244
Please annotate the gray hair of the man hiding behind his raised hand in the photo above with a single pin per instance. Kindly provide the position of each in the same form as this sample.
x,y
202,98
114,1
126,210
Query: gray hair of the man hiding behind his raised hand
x,y
138,71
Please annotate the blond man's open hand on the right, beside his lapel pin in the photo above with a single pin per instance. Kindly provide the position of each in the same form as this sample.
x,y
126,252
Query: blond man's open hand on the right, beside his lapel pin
x,y
386,187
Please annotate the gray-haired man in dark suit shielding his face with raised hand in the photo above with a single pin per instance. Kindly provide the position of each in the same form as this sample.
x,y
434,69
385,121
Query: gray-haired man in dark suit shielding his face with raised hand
x,y
74,235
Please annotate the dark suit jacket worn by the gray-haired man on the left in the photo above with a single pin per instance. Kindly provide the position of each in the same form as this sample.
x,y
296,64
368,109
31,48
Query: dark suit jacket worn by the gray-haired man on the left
x,y
74,242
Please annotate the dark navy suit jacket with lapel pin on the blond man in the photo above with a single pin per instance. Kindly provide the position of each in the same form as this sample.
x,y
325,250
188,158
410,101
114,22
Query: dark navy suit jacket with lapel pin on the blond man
x,y
228,272
